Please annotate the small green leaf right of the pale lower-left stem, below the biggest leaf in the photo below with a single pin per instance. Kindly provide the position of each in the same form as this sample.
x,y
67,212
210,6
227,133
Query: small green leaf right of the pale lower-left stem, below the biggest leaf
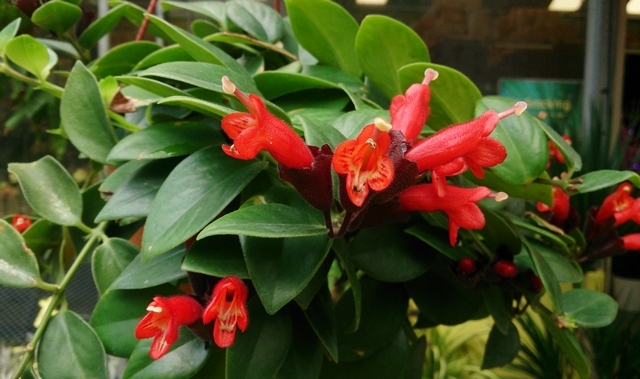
x,y
110,259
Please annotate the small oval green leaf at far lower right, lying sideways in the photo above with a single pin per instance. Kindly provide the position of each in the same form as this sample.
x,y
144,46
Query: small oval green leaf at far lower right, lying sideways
x,y
589,309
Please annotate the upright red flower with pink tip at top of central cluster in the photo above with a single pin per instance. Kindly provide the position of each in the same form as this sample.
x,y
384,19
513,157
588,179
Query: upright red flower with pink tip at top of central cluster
x,y
409,112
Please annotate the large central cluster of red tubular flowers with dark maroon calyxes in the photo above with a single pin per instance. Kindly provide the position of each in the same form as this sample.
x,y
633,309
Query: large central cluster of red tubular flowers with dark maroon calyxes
x,y
380,169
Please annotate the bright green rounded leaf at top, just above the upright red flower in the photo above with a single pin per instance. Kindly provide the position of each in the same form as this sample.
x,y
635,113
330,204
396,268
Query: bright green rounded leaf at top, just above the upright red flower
x,y
383,46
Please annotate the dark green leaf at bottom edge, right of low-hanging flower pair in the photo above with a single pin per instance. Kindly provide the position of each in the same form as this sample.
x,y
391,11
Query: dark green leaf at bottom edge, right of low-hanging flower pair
x,y
260,350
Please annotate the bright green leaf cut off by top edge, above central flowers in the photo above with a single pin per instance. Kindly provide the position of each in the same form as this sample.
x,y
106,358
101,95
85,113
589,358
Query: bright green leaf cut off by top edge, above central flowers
x,y
327,31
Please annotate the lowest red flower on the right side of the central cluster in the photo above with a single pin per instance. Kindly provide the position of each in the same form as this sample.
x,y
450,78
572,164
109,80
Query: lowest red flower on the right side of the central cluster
x,y
458,203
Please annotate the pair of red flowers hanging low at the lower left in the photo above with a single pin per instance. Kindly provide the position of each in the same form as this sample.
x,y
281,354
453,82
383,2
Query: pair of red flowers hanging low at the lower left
x,y
227,307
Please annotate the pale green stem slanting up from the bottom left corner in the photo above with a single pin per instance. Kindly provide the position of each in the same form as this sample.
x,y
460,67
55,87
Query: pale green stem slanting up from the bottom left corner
x,y
57,296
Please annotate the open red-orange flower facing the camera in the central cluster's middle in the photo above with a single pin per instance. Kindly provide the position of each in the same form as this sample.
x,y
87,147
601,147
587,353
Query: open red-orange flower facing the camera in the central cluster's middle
x,y
364,161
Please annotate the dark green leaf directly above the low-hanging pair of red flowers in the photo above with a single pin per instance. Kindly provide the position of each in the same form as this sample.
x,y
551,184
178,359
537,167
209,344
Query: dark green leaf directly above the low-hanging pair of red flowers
x,y
218,256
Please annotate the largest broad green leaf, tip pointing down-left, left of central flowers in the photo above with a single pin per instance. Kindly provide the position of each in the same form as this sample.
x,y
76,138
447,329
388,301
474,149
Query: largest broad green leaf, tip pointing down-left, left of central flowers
x,y
193,194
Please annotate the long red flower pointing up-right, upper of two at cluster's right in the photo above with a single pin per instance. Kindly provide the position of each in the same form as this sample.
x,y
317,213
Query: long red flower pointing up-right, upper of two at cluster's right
x,y
454,149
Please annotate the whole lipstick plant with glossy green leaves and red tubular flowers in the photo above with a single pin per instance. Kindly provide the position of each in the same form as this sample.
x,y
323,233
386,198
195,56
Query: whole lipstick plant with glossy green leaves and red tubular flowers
x,y
297,181
